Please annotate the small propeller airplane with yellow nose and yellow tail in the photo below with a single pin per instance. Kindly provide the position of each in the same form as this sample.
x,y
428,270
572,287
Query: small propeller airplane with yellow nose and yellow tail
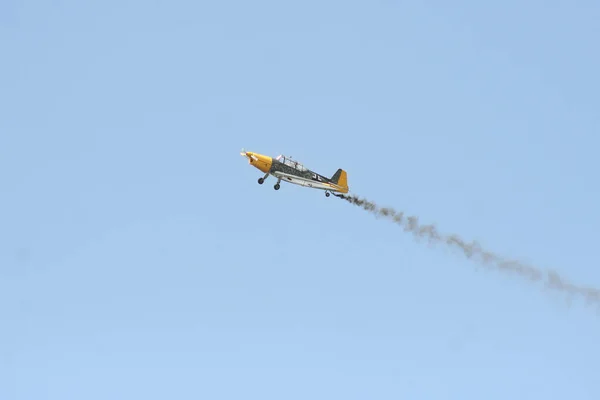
x,y
287,170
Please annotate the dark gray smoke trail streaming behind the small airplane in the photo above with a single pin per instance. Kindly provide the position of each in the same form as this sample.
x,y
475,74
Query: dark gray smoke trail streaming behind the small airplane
x,y
474,250
